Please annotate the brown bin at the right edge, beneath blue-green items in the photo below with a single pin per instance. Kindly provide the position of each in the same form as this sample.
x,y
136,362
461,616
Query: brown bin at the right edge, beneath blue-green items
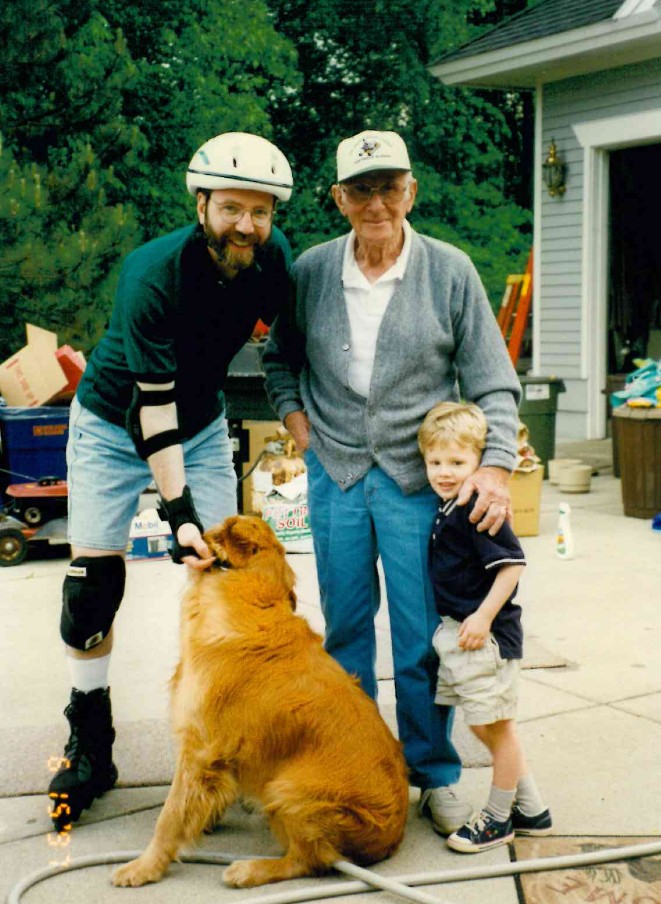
x,y
639,441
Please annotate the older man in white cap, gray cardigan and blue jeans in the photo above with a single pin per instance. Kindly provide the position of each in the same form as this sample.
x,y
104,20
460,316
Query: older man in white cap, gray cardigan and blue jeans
x,y
384,324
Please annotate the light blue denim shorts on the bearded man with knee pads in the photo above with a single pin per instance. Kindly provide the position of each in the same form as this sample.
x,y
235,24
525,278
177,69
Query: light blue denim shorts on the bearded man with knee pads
x,y
106,477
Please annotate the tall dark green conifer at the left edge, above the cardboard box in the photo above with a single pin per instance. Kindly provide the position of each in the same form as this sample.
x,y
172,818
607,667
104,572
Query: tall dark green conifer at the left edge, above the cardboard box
x,y
63,224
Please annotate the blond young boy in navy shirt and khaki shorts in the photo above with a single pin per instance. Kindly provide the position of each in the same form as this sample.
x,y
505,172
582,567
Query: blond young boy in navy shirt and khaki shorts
x,y
479,641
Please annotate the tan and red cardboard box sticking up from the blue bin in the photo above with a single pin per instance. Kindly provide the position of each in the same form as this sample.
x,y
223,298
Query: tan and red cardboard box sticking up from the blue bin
x,y
40,372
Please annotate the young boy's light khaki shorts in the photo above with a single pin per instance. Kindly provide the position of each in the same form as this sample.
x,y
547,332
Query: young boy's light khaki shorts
x,y
480,681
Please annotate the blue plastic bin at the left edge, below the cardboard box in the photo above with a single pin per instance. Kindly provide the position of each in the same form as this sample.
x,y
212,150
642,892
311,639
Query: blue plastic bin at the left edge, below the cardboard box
x,y
33,443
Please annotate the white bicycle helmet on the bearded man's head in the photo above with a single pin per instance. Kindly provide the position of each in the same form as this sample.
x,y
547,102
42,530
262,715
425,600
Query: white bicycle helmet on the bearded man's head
x,y
240,160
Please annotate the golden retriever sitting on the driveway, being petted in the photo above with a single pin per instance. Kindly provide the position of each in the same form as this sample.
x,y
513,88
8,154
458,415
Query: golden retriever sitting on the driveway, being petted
x,y
262,712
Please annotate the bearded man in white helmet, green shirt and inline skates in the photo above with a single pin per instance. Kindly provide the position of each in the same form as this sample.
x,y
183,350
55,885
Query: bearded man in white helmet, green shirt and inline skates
x,y
151,406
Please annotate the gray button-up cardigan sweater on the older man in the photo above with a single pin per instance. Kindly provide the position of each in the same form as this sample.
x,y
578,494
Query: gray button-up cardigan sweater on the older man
x,y
438,340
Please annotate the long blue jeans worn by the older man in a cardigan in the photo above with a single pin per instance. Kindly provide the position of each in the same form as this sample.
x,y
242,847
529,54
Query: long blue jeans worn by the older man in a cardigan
x,y
351,529
